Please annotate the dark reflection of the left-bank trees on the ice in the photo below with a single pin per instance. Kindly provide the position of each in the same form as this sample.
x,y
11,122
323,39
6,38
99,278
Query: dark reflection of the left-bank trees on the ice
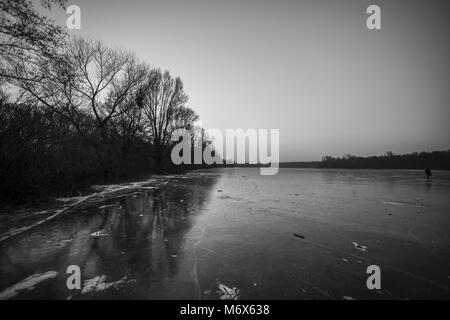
x,y
130,239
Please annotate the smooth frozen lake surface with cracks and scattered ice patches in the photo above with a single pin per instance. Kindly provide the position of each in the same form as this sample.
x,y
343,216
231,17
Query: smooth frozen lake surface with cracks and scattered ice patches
x,y
229,233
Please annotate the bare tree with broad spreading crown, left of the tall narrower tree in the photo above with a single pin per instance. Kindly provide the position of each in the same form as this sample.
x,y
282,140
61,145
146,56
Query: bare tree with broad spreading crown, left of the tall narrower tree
x,y
90,81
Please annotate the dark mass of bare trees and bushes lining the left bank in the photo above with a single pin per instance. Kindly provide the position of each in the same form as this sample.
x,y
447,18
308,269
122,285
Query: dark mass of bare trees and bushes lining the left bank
x,y
74,111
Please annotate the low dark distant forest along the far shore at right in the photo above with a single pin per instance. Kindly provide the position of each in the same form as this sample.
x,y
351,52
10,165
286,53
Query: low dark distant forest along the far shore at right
x,y
437,160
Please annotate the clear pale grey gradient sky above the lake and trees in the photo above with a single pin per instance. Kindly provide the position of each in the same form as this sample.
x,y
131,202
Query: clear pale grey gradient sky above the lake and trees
x,y
311,69
